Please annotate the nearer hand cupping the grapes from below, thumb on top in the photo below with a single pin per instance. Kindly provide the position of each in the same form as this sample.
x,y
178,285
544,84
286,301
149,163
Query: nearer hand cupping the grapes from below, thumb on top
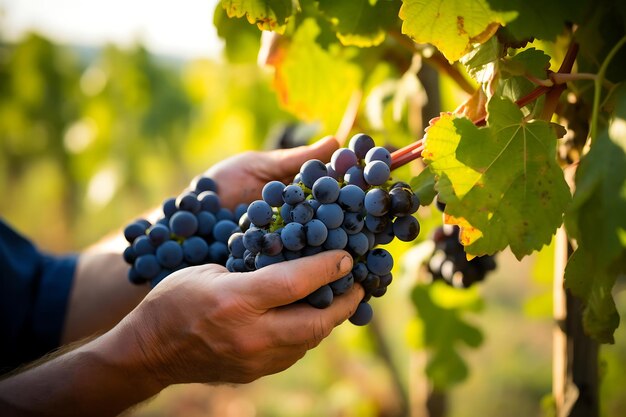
x,y
204,324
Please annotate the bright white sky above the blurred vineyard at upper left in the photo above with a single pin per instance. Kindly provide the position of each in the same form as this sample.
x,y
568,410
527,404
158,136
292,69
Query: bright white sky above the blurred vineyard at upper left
x,y
182,28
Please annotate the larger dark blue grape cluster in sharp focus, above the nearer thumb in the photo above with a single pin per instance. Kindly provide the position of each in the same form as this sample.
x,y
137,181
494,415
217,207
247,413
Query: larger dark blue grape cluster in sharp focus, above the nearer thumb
x,y
348,203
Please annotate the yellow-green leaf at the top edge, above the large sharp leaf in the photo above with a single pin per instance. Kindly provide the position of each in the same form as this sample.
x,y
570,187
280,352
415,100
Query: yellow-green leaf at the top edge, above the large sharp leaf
x,y
453,26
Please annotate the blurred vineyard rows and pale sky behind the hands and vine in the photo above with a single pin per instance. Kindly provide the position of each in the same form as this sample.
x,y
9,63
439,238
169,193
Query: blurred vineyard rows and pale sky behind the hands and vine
x,y
107,108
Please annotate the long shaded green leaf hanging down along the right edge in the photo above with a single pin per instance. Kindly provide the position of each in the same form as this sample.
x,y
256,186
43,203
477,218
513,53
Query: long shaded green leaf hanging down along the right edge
x,y
596,219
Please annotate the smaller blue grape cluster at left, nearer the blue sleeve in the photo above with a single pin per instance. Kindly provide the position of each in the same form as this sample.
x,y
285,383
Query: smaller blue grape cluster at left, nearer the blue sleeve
x,y
193,230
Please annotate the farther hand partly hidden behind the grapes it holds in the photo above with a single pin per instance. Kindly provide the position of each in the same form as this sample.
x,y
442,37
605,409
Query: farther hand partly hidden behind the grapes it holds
x,y
241,178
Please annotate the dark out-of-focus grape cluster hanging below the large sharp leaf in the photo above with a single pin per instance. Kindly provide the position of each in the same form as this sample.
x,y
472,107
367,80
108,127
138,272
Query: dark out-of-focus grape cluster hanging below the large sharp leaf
x,y
449,261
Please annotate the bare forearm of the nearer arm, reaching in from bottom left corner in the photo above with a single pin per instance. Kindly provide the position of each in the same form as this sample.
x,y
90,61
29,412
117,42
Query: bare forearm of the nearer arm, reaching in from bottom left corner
x,y
100,378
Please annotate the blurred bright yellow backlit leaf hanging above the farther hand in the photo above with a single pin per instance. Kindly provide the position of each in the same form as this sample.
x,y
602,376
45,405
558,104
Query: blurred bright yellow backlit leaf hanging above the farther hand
x,y
313,83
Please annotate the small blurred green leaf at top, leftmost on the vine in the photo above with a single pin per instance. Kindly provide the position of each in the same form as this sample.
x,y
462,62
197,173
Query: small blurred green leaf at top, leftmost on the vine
x,y
241,39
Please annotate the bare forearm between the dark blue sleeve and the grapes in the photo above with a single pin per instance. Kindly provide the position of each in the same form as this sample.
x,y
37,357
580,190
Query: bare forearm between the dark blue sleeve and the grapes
x,y
101,293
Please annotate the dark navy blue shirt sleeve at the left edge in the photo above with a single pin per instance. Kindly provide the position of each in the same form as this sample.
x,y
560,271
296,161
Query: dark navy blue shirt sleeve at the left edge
x,y
34,291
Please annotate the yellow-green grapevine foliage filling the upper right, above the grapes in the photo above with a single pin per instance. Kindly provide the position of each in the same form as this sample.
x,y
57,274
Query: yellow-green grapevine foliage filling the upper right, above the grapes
x,y
539,96
